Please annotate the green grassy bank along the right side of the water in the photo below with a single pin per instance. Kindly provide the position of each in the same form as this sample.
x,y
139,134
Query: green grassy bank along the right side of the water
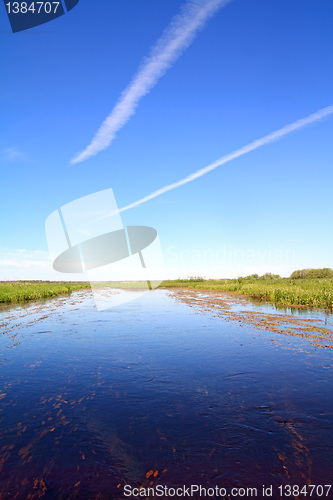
x,y
309,292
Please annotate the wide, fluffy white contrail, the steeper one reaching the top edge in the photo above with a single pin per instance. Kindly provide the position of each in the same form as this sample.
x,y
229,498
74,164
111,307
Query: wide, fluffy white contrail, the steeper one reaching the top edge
x,y
174,40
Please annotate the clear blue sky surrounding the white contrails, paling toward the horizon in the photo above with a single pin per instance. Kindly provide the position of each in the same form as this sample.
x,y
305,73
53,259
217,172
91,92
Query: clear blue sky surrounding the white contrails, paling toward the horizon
x,y
255,67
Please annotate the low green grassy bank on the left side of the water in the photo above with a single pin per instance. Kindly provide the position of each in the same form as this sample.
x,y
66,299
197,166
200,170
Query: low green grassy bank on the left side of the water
x,y
19,291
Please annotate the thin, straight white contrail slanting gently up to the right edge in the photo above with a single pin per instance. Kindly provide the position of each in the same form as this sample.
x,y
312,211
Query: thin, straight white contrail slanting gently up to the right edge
x,y
273,136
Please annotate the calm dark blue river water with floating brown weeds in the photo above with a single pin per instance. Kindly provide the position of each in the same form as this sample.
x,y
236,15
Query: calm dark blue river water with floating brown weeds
x,y
91,401
